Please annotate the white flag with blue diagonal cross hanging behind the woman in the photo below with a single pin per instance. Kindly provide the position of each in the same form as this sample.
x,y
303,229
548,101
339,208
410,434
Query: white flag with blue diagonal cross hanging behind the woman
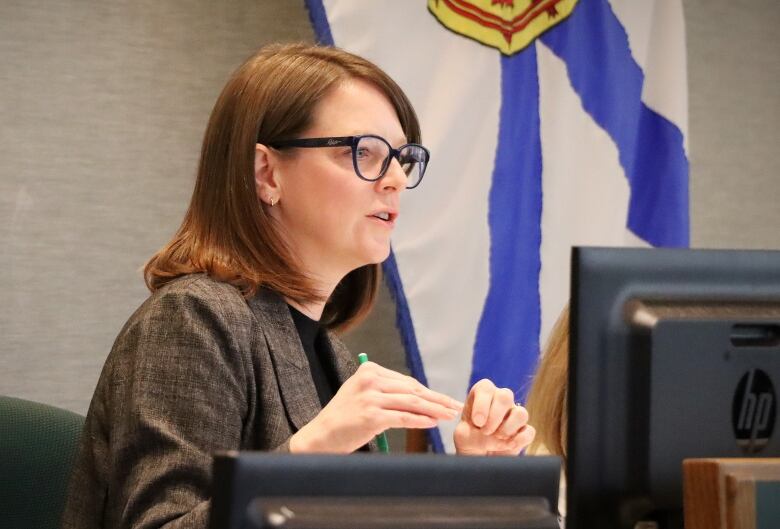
x,y
577,138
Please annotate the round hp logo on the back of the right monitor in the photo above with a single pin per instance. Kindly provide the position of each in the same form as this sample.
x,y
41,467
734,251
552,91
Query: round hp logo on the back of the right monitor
x,y
753,411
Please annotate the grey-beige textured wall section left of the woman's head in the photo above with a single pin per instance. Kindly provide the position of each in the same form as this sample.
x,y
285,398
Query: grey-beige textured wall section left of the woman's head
x,y
102,107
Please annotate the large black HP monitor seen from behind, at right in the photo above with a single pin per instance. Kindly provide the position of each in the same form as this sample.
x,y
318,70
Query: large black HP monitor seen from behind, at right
x,y
674,354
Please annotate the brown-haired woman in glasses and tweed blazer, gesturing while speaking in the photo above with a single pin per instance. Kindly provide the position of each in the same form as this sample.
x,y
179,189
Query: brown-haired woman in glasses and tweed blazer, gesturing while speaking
x,y
305,156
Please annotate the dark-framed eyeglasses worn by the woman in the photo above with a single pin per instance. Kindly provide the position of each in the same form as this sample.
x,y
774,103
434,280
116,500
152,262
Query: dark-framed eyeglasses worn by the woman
x,y
371,155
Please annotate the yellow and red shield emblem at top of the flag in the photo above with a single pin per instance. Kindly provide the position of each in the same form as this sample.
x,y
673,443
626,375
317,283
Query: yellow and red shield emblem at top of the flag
x,y
509,25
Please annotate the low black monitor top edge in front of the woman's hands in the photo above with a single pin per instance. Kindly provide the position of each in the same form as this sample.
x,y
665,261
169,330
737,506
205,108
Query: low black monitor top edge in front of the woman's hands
x,y
380,491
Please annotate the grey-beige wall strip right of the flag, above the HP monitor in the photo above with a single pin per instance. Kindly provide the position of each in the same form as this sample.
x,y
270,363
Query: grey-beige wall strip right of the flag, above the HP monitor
x,y
734,84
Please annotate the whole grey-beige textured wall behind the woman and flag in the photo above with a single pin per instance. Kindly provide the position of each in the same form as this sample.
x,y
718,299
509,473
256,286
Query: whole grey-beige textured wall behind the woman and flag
x,y
102,108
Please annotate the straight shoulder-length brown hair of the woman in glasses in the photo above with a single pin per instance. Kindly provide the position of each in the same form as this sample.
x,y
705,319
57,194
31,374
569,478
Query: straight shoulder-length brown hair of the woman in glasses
x,y
225,233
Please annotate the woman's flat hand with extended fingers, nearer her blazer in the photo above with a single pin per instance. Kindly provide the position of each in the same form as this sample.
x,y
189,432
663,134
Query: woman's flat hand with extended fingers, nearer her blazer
x,y
371,401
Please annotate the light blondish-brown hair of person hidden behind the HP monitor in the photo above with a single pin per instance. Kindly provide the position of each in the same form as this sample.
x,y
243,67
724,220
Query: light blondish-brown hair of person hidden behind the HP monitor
x,y
546,403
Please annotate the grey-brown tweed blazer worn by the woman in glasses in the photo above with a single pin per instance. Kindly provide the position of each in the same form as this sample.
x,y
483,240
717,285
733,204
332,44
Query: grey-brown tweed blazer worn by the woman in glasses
x,y
196,369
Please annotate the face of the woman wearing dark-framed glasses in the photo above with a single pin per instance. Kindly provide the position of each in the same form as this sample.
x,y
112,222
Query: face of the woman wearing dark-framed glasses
x,y
326,212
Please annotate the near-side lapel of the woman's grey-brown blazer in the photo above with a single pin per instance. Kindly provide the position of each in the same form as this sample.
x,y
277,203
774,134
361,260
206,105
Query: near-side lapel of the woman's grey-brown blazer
x,y
292,368
